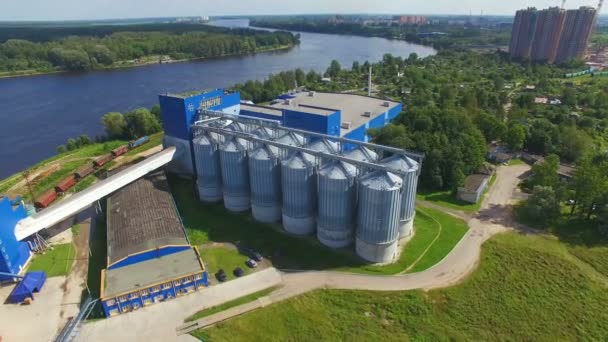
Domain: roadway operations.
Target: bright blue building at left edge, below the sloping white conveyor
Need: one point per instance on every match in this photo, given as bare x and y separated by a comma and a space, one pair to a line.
14, 255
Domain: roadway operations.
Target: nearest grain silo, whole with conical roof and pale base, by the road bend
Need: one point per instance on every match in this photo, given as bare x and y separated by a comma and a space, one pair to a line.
379, 201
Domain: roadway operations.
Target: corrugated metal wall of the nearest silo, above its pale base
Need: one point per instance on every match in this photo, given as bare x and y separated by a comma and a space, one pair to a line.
378, 213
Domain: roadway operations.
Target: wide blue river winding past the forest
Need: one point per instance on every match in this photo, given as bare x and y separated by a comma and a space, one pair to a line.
39, 113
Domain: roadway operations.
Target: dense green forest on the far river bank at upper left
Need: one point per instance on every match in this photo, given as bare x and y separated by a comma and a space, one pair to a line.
89, 48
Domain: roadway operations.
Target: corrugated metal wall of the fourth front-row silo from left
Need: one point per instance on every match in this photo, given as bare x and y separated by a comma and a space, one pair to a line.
299, 189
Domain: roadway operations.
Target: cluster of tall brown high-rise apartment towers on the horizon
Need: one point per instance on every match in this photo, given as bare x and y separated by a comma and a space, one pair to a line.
553, 34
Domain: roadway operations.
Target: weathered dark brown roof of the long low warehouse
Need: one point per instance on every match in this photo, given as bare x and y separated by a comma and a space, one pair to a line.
142, 216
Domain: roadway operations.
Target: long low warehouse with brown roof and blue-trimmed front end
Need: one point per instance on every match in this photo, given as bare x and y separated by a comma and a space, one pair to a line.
150, 259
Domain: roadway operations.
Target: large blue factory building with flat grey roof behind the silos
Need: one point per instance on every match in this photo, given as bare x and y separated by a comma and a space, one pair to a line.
343, 115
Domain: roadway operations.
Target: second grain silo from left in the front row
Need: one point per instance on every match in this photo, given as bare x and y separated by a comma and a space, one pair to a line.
235, 174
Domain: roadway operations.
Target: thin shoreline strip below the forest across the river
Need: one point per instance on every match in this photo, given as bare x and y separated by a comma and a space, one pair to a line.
152, 60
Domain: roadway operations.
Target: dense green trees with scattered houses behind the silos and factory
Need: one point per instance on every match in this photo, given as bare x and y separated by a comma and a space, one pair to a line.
457, 102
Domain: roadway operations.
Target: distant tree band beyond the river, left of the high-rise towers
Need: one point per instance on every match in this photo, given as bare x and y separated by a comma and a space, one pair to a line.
455, 35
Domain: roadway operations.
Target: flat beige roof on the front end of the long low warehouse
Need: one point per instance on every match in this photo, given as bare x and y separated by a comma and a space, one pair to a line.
144, 274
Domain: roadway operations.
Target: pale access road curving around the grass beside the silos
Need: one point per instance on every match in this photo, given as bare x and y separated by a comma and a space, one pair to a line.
495, 216
